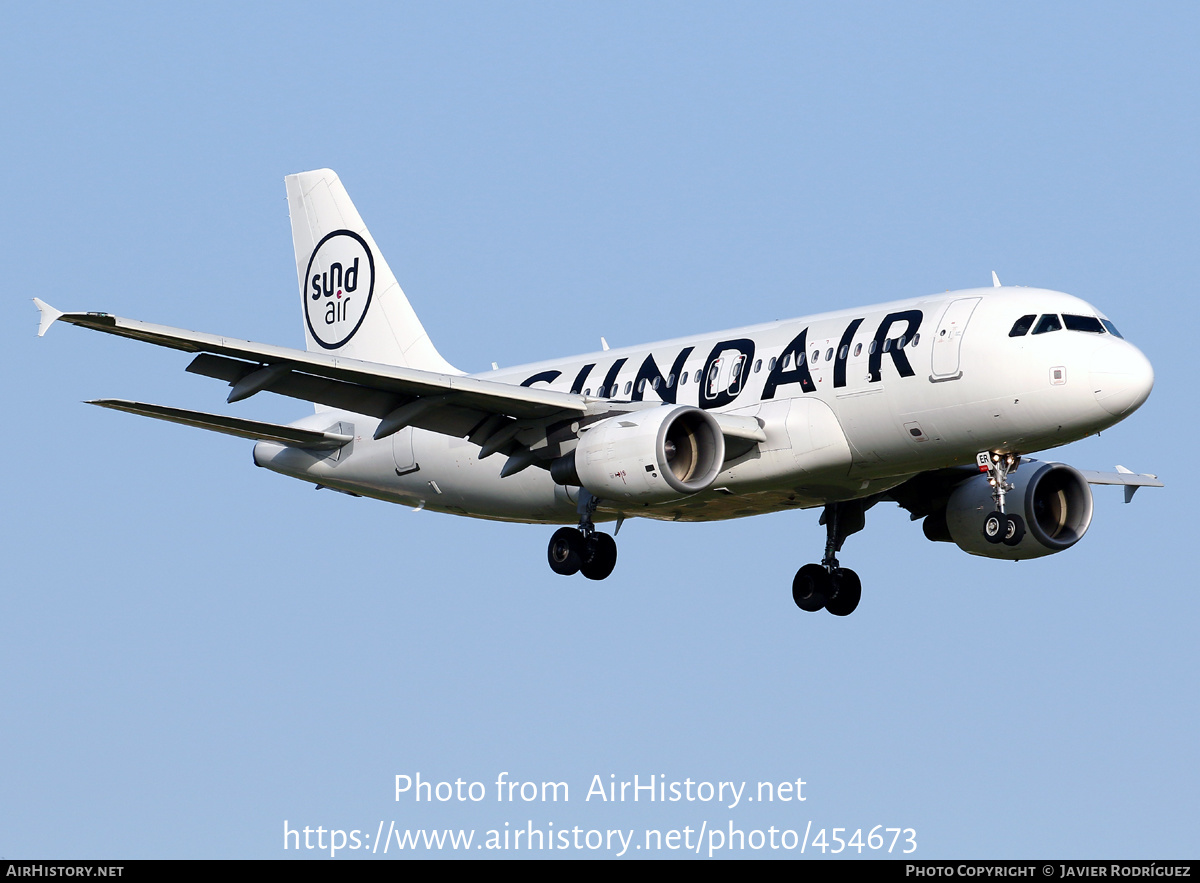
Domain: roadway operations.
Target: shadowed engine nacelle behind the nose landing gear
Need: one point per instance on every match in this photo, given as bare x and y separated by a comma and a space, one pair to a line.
1053, 498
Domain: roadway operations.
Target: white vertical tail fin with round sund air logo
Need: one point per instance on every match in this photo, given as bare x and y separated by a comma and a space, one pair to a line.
352, 303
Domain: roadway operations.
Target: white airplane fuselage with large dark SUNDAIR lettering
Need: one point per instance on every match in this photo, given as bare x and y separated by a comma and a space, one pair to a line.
883, 393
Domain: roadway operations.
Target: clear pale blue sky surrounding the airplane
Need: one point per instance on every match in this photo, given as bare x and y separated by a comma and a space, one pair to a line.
196, 651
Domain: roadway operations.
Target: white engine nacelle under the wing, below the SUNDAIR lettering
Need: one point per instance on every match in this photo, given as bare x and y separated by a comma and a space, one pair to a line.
656, 455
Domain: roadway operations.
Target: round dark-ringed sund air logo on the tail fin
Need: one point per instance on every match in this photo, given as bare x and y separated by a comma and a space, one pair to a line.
339, 285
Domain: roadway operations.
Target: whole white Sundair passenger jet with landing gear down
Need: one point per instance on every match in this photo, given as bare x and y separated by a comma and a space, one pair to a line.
931, 403
